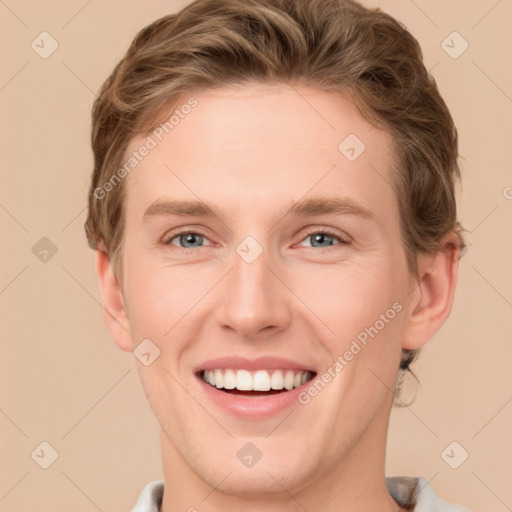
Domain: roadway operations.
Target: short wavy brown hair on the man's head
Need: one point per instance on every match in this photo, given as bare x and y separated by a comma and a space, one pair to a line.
332, 45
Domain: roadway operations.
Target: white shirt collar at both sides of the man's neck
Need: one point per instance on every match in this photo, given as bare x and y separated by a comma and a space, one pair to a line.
404, 490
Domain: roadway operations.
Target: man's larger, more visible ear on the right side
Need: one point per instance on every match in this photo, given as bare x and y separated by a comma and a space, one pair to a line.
432, 296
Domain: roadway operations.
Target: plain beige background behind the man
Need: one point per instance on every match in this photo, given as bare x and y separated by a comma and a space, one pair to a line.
63, 381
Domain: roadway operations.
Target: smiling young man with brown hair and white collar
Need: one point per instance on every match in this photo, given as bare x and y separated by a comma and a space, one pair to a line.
273, 211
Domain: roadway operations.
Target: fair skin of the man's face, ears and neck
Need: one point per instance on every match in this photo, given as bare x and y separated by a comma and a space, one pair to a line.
250, 152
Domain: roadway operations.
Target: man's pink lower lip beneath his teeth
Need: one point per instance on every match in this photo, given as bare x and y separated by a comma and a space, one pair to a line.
253, 407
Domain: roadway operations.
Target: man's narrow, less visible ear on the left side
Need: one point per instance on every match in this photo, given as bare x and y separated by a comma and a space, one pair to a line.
114, 307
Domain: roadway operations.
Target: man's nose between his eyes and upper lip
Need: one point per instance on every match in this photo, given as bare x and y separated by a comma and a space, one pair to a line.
255, 302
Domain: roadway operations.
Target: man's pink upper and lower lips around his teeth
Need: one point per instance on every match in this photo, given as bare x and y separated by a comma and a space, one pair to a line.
256, 407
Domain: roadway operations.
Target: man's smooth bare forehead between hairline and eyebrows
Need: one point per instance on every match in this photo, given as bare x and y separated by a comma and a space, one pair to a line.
259, 146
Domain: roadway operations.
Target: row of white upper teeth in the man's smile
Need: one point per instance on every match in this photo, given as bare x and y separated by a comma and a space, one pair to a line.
261, 380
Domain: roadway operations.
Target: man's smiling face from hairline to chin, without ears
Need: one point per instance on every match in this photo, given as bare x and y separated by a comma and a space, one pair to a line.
267, 288
